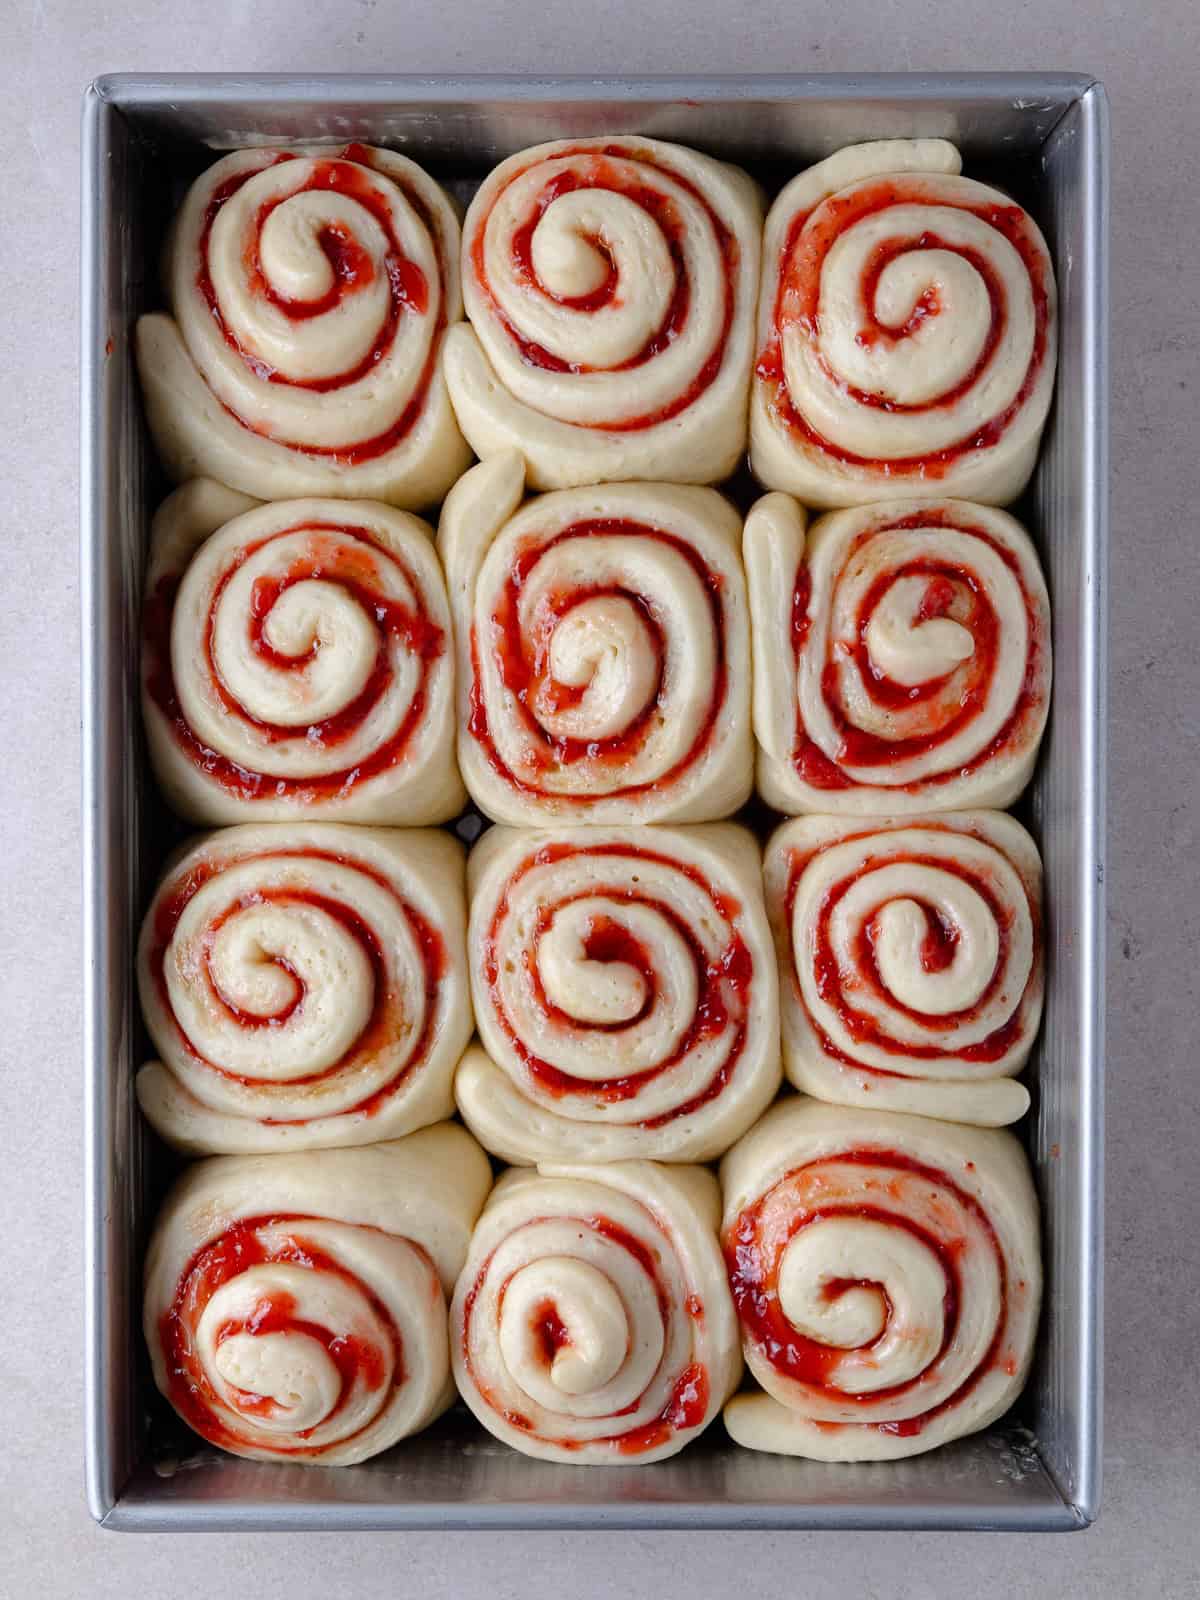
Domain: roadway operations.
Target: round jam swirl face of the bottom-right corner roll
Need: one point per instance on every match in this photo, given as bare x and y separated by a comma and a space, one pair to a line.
873, 1290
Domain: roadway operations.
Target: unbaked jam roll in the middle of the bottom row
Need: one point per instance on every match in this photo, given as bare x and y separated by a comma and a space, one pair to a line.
593, 1322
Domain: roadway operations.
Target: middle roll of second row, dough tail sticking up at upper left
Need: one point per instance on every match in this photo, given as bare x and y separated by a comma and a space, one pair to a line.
602, 650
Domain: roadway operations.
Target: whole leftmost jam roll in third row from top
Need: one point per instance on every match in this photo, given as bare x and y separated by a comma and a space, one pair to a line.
305, 986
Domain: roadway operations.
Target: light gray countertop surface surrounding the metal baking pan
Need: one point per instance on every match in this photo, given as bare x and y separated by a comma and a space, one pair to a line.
1148, 1537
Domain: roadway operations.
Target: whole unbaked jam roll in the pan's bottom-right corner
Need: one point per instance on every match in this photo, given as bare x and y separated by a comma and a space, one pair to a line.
887, 1276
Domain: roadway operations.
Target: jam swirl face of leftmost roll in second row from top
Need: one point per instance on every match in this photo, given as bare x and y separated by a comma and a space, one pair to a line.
270, 630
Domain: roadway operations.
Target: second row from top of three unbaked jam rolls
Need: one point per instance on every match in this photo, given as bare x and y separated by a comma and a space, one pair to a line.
594, 655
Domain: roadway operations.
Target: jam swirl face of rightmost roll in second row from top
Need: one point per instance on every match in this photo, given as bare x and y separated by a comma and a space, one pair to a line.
974, 702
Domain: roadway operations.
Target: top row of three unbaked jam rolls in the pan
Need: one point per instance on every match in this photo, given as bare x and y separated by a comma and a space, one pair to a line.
887, 330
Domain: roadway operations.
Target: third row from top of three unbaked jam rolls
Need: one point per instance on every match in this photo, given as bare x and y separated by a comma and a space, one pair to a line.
318, 985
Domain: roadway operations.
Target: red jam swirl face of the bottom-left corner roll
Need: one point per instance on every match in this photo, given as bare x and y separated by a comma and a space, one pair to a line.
233, 1298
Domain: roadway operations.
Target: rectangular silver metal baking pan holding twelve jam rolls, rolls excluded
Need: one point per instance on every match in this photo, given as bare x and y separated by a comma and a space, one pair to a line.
1042, 135
